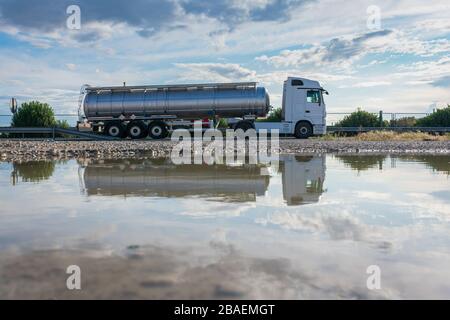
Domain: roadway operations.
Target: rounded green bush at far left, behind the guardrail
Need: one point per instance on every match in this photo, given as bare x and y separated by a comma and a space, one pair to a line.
34, 114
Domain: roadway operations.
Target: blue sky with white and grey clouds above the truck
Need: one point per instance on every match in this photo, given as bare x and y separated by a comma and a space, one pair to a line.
378, 55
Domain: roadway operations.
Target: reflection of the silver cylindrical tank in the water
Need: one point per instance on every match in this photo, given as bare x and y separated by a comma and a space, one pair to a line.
160, 178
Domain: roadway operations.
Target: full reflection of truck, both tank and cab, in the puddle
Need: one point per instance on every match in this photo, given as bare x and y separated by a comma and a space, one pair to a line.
302, 179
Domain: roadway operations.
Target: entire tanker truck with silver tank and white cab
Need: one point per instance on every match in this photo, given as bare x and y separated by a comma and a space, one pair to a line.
156, 110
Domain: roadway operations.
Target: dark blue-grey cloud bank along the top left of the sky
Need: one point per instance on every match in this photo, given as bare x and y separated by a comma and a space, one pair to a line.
146, 17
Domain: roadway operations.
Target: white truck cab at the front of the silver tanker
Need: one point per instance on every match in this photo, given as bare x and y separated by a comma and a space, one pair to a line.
303, 109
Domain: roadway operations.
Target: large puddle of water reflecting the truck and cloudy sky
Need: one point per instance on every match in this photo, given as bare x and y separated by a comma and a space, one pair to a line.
149, 229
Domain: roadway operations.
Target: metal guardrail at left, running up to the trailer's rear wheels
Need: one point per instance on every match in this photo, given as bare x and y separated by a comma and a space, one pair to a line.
54, 132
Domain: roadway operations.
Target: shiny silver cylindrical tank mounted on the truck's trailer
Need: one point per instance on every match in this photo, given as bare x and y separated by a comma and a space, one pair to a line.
185, 104
